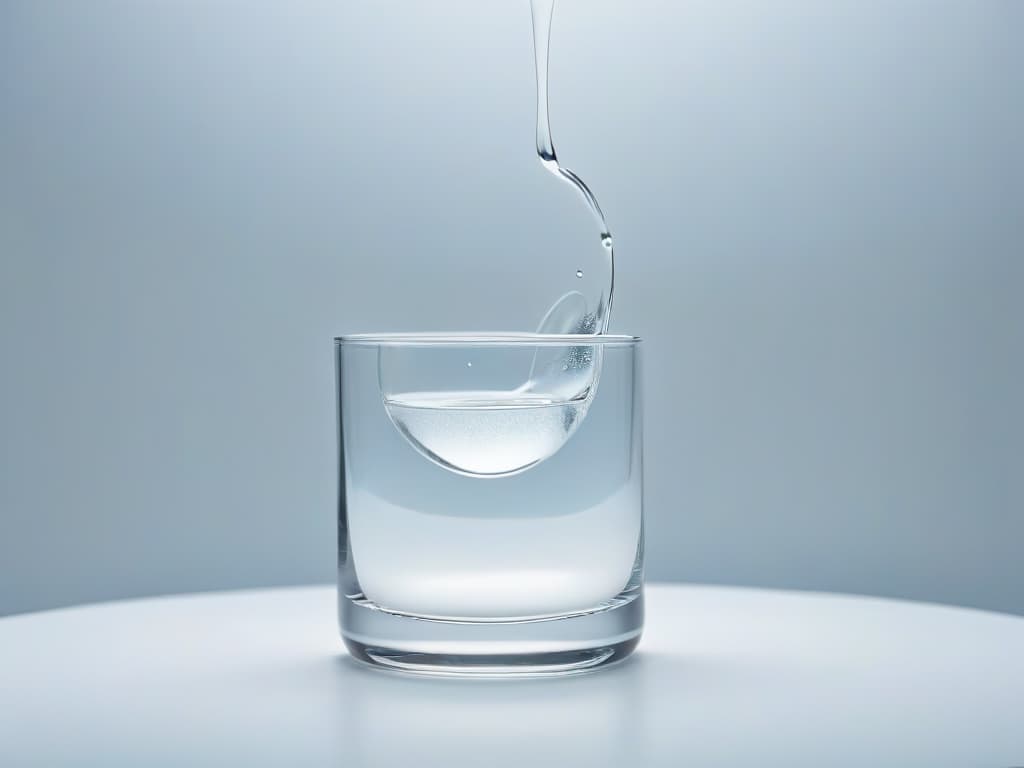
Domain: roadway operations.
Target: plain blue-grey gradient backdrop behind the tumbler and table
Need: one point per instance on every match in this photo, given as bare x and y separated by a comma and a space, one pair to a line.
819, 216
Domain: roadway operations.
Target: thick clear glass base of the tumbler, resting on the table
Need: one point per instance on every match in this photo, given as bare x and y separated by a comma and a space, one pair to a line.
559, 646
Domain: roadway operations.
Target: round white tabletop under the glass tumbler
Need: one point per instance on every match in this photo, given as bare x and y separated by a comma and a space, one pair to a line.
723, 677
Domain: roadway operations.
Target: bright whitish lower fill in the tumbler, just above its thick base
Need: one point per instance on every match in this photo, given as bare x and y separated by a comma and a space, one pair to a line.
486, 568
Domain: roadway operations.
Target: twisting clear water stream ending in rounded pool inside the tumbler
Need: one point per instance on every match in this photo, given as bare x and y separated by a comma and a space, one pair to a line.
501, 433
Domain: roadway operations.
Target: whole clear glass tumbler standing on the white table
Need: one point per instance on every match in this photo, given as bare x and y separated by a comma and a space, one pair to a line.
490, 517
